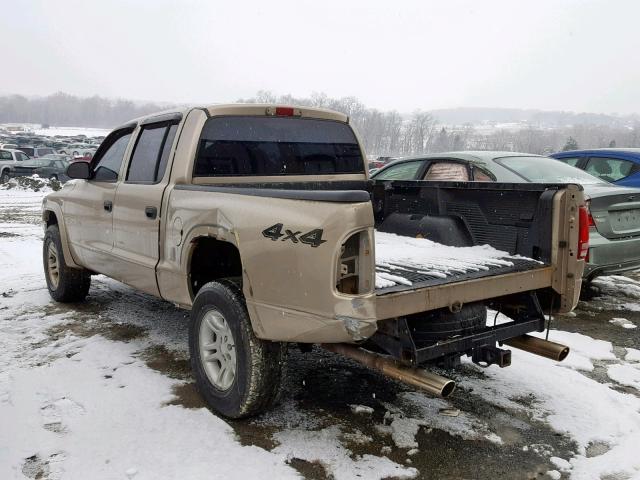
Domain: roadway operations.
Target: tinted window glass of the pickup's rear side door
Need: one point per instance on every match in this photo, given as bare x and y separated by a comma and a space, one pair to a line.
150, 155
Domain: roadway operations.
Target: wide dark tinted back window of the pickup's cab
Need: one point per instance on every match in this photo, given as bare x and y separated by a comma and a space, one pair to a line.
269, 146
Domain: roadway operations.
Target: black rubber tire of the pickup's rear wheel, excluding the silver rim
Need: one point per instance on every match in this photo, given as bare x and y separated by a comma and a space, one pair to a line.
259, 363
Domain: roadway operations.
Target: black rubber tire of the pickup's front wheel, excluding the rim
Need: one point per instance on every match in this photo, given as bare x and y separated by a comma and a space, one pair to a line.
72, 284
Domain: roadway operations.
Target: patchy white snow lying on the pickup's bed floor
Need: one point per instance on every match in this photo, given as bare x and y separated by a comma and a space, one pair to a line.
406, 261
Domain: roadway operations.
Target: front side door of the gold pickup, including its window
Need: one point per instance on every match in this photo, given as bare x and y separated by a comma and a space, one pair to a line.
88, 209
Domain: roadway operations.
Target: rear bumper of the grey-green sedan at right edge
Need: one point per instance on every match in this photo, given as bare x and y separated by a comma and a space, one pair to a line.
608, 257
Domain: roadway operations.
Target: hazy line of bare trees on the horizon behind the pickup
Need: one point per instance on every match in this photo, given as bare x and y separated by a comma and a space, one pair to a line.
384, 133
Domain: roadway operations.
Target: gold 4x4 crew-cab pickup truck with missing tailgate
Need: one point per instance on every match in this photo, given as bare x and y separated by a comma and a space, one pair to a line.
261, 220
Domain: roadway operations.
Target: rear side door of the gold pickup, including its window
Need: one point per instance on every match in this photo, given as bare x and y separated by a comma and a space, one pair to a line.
137, 208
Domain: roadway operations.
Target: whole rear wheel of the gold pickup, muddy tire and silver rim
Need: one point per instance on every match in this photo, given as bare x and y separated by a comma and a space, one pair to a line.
237, 374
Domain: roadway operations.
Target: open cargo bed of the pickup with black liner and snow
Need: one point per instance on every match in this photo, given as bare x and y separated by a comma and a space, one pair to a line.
442, 244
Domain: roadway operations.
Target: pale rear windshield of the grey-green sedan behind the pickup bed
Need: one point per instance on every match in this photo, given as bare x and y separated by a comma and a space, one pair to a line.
547, 170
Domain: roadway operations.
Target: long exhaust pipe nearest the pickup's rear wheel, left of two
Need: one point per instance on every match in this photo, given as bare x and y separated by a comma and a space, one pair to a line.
432, 383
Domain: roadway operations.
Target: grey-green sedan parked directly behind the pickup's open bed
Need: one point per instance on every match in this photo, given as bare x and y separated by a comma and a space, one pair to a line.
614, 218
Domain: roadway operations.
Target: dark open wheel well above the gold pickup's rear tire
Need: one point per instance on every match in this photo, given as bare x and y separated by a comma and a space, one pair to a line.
211, 260
